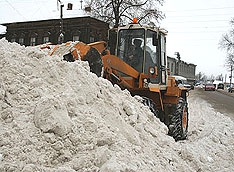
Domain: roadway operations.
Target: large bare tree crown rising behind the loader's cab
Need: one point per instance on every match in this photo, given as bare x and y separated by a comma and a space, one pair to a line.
119, 12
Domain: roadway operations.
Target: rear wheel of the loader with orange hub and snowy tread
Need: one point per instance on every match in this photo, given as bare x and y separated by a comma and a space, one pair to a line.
178, 126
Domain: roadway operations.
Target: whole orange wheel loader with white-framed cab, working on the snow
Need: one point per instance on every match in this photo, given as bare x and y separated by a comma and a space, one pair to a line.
135, 59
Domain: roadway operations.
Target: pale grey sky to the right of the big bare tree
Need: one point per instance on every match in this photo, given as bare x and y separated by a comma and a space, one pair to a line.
195, 28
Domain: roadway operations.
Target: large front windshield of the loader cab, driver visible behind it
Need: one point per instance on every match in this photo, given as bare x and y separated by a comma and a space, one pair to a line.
130, 47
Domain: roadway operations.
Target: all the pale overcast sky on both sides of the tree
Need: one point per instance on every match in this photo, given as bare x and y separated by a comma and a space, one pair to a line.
195, 27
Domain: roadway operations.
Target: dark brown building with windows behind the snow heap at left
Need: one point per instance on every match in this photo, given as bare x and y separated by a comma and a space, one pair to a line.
30, 33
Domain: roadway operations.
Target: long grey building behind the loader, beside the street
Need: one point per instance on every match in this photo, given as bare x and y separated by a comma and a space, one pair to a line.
181, 68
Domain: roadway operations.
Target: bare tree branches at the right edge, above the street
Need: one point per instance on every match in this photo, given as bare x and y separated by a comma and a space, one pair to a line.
227, 43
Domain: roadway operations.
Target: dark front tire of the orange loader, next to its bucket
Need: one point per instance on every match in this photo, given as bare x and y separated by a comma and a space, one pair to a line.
95, 61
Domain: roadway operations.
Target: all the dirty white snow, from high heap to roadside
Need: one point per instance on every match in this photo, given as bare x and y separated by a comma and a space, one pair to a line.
58, 117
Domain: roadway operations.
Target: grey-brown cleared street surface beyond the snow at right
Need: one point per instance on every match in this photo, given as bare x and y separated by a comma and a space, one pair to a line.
220, 100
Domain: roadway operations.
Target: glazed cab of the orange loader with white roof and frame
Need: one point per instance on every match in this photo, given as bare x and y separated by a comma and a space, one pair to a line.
144, 49
